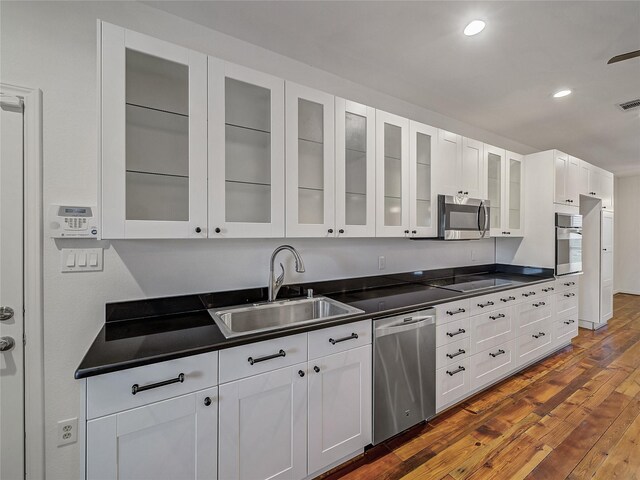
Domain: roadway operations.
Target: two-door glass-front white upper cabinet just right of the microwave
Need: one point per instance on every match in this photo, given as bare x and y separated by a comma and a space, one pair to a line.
504, 191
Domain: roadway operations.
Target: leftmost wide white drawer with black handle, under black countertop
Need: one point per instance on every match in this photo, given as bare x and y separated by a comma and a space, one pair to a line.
113, 392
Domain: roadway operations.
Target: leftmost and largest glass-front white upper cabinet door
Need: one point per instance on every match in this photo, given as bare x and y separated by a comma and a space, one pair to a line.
153, 137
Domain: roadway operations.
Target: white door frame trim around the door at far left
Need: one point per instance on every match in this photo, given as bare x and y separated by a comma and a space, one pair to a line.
33, 292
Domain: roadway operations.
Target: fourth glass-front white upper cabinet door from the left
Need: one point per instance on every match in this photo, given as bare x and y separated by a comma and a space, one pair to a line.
355, 165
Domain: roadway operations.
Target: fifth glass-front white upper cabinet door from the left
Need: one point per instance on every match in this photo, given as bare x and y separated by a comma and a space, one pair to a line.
392, 175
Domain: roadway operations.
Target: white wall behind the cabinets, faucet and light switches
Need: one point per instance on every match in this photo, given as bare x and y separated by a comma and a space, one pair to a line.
52, 46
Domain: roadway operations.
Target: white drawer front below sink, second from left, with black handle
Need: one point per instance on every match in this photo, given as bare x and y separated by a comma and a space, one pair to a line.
261, 357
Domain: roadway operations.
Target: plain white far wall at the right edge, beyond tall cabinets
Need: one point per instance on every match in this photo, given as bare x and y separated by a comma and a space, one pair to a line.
626, 275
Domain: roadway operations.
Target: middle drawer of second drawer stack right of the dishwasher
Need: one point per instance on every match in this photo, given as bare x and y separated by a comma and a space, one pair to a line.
492, 329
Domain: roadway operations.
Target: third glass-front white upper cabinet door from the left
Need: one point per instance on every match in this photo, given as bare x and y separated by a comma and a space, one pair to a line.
310, 162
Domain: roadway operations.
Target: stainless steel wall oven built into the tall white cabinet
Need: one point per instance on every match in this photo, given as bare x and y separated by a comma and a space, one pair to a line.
568, 244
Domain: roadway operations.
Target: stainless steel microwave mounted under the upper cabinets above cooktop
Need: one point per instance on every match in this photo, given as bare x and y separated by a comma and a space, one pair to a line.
462, 218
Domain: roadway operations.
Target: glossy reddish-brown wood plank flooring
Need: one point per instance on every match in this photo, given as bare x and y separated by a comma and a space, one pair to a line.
575, 415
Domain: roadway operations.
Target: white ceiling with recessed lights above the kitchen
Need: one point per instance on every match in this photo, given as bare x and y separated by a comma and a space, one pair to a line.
500, 80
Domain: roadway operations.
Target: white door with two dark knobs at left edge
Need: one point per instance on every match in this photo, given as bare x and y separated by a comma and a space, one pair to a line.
11, 291
